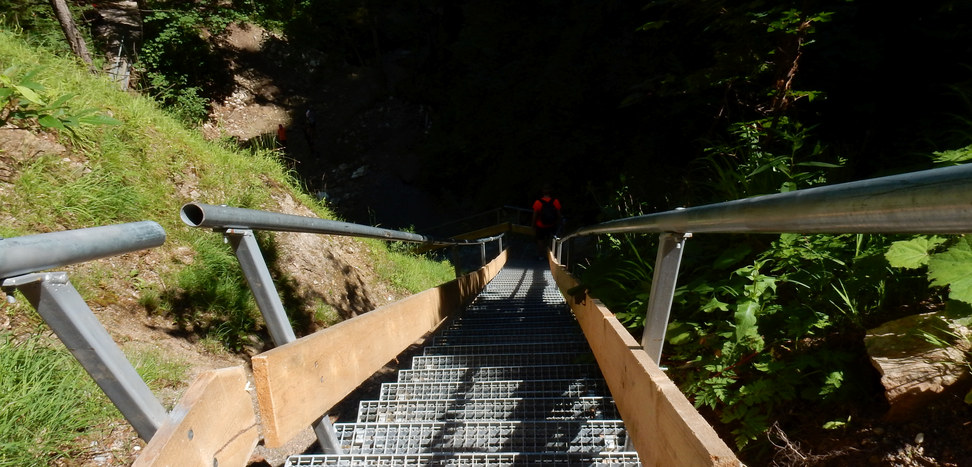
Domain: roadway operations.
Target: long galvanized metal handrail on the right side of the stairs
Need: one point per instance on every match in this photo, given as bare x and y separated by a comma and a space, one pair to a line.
931, 201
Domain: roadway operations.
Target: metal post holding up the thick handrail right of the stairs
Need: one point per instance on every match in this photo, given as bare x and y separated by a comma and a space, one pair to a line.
670, 248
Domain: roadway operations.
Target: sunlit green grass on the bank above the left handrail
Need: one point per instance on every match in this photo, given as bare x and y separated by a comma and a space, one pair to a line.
145, 168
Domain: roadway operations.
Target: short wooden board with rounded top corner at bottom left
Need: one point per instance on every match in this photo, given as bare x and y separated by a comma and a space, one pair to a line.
213, 424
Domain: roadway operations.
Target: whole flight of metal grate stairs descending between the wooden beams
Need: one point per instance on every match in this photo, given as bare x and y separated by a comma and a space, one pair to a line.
510, 382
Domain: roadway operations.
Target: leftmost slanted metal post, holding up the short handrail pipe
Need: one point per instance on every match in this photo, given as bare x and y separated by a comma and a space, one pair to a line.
62, 307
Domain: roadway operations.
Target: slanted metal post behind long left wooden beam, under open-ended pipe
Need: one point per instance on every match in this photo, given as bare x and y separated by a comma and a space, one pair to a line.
268, 300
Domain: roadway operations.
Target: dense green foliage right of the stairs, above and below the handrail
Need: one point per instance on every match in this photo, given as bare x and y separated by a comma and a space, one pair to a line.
764, 327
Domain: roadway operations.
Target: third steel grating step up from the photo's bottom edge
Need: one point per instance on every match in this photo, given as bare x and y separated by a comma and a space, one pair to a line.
548, 408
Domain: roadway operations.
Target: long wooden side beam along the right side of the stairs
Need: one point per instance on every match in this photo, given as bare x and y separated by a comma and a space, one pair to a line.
664, 426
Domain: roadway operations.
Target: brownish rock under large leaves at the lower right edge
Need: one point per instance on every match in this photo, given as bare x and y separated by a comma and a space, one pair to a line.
914, 370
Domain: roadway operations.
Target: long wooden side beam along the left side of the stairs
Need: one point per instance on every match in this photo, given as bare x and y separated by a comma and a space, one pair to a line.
299, 381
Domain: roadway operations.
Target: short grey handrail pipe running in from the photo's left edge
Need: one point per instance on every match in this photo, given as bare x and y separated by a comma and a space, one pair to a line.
33, 253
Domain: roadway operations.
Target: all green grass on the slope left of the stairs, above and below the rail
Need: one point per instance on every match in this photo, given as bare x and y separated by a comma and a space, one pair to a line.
145, 168
